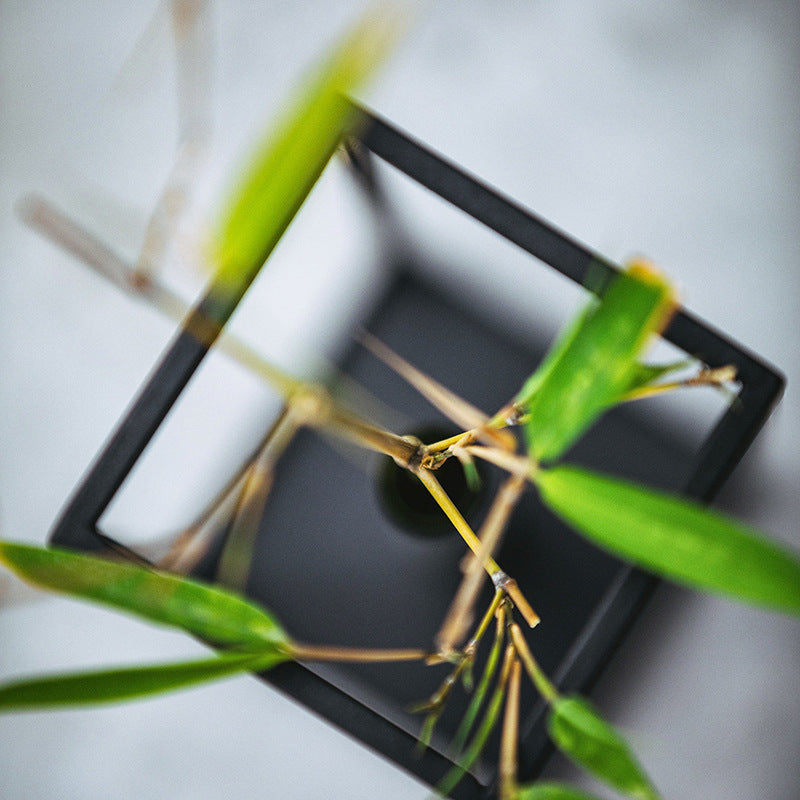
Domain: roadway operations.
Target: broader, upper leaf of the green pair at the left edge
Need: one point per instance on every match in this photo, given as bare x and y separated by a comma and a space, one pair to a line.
215, 615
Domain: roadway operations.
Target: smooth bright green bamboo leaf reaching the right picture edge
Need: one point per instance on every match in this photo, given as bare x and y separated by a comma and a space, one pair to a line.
674, 537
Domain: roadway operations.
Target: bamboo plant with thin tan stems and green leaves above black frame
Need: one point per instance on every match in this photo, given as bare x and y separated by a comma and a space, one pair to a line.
595, 364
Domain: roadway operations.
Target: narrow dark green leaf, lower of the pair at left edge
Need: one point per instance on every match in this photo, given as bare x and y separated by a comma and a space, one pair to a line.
113, 685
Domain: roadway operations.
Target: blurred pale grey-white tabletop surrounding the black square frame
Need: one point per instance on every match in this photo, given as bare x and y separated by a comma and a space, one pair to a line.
664, 129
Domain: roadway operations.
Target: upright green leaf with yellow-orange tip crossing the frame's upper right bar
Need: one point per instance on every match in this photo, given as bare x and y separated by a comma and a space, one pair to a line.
593, 364
